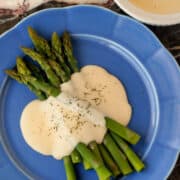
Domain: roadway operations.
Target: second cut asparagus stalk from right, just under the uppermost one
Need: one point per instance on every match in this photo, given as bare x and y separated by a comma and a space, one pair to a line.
131, 155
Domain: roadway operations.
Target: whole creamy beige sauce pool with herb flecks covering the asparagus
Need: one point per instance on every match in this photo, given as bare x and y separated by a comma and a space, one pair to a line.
55, 126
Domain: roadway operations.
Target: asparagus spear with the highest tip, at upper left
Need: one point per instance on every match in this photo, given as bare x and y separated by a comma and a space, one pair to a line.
40, 43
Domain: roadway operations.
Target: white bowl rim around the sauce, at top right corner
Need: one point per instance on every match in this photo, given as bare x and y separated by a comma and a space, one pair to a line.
147, 17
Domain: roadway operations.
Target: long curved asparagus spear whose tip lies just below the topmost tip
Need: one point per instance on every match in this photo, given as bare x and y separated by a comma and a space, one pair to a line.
44, 65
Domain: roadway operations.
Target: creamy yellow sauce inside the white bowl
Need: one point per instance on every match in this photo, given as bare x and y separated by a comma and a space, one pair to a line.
158, 6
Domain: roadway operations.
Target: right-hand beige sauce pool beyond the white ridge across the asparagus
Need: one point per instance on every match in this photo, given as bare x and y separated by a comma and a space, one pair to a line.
102, 90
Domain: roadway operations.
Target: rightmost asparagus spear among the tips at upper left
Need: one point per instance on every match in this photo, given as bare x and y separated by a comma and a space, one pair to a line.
69, 51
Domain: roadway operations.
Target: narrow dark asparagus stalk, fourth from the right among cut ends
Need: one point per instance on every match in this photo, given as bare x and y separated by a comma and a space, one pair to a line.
109, 161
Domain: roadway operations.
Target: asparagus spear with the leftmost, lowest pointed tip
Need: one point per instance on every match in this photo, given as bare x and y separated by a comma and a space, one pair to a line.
14, 74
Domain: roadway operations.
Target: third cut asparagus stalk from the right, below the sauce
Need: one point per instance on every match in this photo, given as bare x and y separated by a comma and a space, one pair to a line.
117, 155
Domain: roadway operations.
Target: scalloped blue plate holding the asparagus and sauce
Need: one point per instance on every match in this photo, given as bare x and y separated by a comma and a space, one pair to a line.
126, 49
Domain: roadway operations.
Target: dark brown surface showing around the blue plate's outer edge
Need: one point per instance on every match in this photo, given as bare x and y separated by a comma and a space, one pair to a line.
169, 36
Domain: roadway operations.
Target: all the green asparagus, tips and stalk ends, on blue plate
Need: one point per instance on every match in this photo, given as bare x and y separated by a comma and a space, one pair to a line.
56, 64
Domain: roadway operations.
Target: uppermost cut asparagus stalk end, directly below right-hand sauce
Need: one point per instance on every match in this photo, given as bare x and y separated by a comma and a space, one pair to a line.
124, 132
